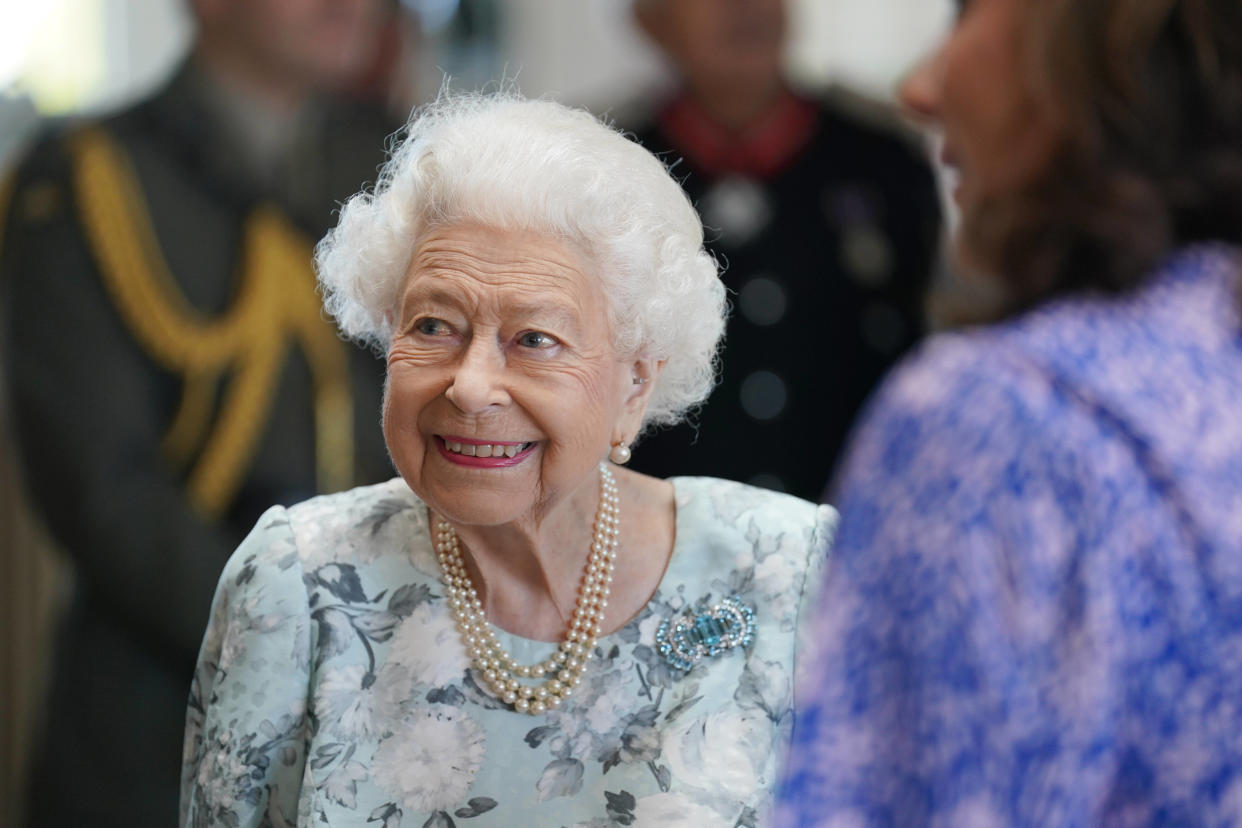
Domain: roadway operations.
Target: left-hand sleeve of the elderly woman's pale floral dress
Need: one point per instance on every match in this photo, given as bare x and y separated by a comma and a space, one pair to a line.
247, 726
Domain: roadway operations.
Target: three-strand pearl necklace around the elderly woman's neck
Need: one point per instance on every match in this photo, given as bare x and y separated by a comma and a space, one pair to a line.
563, 671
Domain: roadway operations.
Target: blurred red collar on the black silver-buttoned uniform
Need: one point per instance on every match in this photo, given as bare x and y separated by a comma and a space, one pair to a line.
763, 151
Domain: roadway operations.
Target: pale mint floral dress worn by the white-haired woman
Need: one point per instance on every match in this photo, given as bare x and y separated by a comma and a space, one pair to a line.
333, 687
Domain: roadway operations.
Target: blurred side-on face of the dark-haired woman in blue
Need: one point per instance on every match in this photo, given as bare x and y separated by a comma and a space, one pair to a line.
999, 136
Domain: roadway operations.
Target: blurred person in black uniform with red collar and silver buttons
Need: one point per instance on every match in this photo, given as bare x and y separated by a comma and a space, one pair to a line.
827, 224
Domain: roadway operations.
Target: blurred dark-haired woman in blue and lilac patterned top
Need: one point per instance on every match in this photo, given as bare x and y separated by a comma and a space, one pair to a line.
1034, 610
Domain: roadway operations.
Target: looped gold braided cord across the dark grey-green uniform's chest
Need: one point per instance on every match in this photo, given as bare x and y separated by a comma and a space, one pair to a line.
248, 344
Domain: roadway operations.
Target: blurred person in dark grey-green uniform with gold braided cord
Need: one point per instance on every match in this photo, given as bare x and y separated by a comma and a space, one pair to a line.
170, 369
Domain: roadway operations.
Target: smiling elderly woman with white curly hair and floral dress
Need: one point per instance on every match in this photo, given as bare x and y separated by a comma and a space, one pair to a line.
516, 631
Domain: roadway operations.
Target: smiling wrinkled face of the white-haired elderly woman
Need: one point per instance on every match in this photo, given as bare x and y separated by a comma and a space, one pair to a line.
505, 392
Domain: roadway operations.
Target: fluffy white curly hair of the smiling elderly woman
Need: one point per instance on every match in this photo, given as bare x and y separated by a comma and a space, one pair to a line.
514, 164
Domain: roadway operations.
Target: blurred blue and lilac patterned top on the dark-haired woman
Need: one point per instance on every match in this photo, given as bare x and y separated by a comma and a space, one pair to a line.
1034, 610
